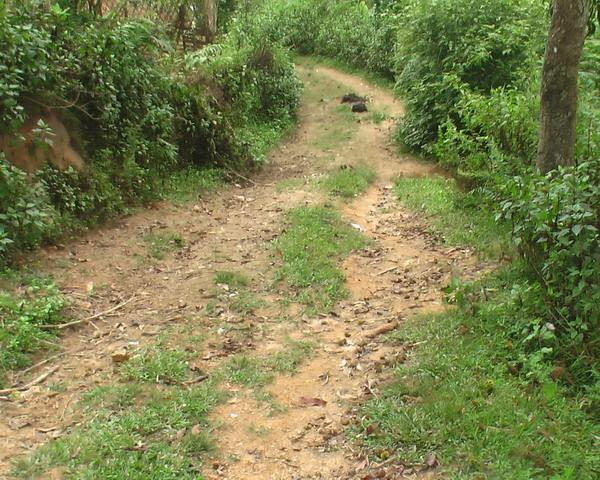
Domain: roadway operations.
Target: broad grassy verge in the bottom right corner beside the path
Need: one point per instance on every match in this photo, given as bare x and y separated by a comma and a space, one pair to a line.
481, 401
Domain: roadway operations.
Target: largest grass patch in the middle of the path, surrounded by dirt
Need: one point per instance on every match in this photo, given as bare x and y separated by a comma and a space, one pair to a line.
315, 239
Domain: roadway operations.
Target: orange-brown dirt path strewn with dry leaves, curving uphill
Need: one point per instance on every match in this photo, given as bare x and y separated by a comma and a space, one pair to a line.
231, 230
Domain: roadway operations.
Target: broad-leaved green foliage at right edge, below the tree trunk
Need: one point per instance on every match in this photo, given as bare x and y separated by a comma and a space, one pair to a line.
556, 221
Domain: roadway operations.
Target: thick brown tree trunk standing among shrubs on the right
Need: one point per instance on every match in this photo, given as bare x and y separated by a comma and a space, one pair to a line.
558, 130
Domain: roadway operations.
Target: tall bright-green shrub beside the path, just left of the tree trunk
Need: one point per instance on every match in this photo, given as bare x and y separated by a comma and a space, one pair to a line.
447, 46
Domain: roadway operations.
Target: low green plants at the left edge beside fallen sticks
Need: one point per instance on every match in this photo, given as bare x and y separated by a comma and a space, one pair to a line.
27, 302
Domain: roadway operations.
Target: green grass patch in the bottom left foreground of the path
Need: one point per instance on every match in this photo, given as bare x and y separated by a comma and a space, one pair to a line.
157, 435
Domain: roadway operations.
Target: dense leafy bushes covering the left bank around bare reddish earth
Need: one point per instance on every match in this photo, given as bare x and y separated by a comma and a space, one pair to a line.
134, 117
